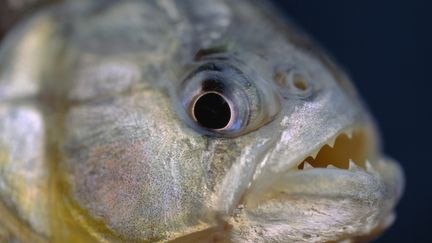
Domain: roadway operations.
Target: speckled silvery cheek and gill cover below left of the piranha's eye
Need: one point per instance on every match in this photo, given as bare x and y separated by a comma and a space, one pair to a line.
134, 167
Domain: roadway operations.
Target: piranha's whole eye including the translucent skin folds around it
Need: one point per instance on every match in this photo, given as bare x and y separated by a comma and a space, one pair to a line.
222, 98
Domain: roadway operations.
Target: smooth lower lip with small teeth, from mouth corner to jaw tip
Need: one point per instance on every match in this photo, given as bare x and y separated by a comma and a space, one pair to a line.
379, 181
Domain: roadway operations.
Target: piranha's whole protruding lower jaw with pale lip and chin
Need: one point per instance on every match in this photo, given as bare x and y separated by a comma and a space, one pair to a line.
353, 204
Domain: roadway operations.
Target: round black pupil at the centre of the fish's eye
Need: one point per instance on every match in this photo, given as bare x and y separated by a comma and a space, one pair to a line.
212, 111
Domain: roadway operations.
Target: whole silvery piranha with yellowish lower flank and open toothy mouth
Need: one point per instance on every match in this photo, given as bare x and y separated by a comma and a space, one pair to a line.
183, 121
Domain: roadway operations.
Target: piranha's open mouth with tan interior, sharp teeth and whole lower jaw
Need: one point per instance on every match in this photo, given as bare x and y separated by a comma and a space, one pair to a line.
343, 183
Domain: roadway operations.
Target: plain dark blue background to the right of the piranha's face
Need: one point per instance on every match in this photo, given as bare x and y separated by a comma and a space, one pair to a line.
386, 47
